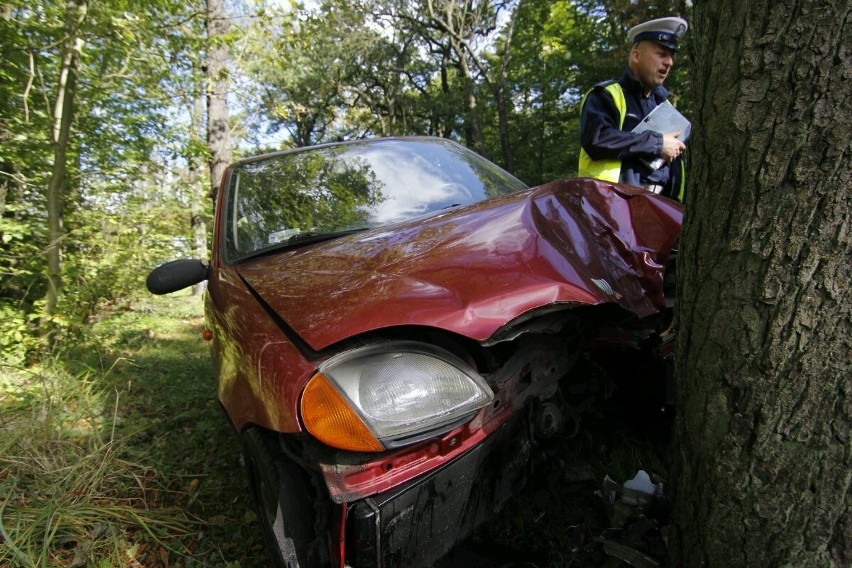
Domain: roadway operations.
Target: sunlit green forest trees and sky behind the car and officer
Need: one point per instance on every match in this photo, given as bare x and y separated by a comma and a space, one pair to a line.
107, 107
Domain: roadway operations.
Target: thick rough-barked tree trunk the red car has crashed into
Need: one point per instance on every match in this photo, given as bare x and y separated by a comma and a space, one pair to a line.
762, 442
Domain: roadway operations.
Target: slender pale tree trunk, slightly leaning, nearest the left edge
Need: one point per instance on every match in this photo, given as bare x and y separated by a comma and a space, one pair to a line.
63, 117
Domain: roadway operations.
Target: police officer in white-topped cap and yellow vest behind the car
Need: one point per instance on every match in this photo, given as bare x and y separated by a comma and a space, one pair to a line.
610, 151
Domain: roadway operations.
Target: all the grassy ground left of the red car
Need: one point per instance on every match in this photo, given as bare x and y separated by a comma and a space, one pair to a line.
117, 454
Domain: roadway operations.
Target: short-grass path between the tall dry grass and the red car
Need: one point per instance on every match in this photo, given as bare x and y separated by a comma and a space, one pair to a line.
158, 368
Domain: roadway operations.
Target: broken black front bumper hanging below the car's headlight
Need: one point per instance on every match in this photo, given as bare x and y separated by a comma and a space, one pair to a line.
417, 523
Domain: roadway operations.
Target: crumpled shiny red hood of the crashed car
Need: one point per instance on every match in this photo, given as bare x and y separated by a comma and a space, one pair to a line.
472, 270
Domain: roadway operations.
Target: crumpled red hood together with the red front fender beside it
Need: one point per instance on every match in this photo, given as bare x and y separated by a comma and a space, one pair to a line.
469, 271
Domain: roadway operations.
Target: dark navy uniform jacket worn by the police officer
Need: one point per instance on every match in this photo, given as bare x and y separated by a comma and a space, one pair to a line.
601, 137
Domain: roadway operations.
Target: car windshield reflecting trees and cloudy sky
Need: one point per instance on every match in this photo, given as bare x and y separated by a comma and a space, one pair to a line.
325, 191
